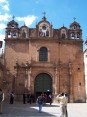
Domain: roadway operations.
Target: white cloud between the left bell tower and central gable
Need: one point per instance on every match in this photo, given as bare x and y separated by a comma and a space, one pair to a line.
28, 20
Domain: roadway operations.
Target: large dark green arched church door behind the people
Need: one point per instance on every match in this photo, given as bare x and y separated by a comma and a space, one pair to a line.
43, 84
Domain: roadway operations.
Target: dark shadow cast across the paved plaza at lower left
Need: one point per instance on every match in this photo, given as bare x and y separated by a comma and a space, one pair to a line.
18, 109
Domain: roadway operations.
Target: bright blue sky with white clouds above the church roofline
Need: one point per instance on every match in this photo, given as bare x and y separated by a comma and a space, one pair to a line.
58, 12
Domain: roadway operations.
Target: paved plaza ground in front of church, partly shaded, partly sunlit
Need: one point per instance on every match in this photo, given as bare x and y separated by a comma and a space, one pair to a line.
18, 109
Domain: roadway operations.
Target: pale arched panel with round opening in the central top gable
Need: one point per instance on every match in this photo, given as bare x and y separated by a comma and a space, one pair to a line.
44, 30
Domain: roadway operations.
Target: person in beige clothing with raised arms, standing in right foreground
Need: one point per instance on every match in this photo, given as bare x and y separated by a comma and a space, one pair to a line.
61, 98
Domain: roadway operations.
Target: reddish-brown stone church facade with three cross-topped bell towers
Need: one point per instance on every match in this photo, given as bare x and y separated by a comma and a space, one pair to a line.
44, 60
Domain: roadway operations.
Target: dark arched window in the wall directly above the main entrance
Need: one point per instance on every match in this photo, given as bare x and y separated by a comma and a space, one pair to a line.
43, 54
